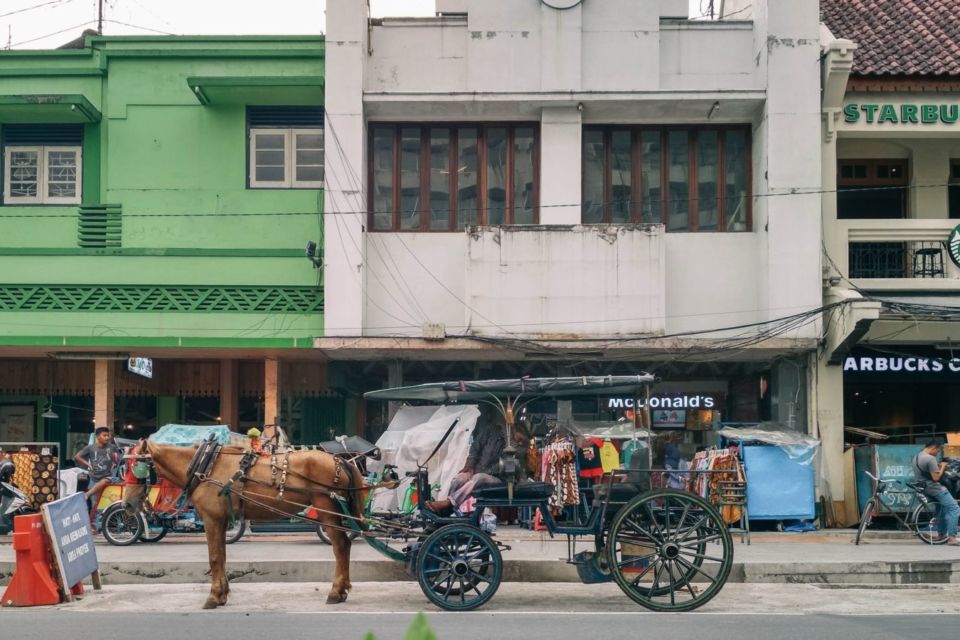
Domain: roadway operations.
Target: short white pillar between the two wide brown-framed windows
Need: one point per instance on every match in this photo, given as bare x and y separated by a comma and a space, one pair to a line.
560, 159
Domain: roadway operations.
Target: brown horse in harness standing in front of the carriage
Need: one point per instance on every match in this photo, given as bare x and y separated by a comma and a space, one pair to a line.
310, 477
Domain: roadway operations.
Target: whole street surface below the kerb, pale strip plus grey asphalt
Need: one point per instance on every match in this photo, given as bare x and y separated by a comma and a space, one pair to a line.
267, 610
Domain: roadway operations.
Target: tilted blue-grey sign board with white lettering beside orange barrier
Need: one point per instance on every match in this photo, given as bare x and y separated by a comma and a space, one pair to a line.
68, 525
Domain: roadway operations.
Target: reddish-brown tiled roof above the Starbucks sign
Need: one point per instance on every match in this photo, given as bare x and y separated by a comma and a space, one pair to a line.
898, 37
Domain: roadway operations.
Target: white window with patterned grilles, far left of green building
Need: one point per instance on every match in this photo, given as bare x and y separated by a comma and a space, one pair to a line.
42, 164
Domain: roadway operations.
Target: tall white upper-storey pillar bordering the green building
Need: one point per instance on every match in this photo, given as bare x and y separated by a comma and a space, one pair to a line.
343, 237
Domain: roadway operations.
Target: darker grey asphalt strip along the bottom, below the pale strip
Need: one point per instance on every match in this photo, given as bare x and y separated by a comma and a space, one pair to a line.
236, 625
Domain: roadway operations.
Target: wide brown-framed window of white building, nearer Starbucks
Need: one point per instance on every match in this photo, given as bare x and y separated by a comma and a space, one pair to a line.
689, 179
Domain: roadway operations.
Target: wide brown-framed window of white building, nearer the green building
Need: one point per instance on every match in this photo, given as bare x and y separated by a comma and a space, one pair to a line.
413, 187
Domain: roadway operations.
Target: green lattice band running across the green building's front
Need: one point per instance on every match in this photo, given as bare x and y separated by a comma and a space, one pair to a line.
132, 298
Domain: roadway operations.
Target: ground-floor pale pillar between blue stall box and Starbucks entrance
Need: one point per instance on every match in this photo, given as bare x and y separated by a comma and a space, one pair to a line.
829, 408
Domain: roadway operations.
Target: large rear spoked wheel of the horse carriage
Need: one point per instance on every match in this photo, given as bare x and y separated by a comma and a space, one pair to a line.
669, 550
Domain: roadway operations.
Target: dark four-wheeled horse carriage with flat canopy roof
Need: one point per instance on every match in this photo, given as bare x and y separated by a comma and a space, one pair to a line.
667, 550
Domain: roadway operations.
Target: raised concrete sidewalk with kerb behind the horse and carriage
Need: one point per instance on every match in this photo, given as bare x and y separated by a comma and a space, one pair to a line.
821, 557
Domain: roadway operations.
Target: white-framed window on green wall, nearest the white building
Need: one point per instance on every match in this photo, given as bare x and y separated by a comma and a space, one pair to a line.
286, 147
